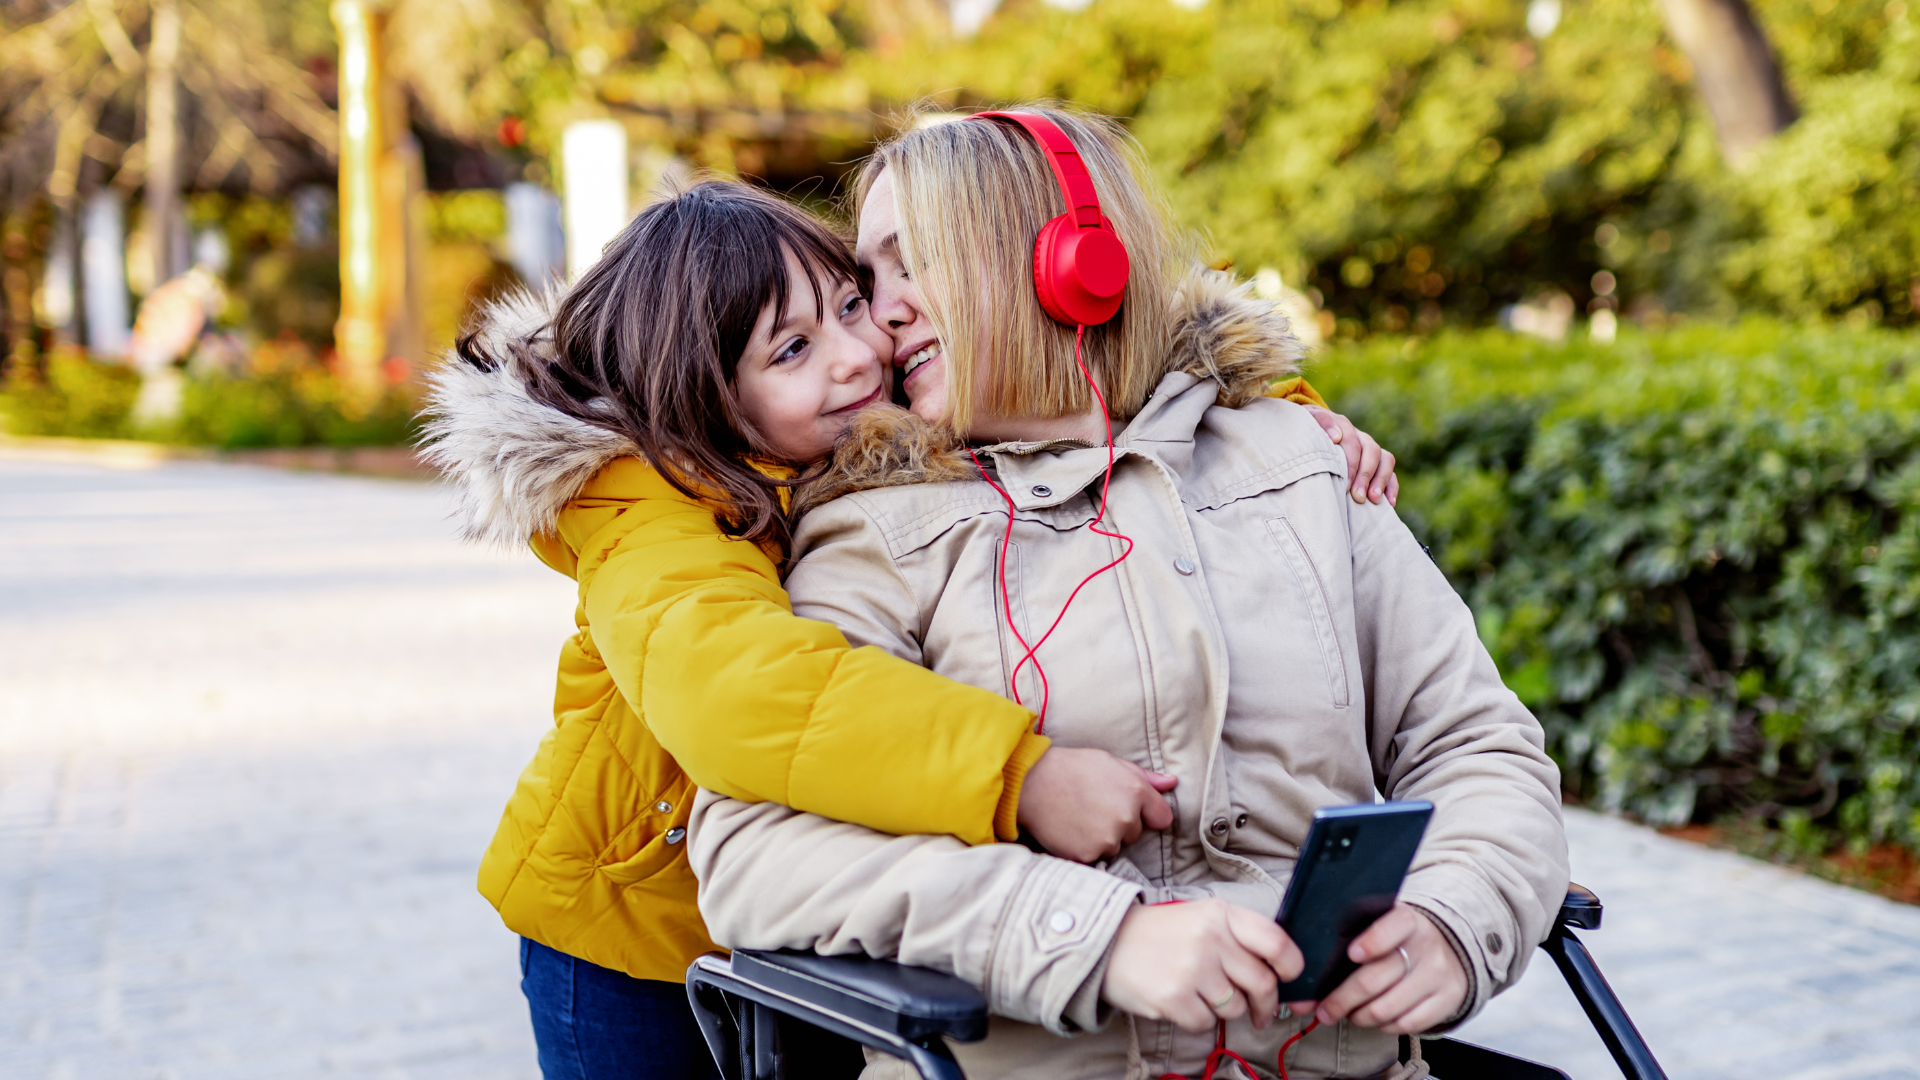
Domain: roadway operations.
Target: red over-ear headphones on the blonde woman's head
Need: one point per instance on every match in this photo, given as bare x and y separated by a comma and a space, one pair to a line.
1080, 266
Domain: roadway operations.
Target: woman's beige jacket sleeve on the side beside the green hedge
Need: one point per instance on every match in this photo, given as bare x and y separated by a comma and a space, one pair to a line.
1443, 727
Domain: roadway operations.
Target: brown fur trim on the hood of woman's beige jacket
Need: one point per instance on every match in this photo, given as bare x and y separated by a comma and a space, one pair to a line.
1222, 333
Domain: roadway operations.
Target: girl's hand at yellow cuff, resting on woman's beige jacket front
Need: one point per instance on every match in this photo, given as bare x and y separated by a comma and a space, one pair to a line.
1088, 804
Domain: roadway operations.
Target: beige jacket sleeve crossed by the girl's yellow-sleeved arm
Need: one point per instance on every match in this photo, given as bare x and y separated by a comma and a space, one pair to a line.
1030, 931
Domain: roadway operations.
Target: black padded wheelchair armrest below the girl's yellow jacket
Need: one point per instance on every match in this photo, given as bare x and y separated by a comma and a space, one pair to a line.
909, 1002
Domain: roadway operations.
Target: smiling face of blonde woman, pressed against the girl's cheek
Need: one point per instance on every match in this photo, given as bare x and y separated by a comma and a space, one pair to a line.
898, 312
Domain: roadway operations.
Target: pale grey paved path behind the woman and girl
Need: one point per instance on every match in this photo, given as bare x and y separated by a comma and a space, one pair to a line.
256, 727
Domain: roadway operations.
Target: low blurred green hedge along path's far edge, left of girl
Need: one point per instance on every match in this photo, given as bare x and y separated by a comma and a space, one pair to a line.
285, 406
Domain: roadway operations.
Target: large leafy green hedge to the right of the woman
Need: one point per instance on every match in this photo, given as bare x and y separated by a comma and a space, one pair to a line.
1696, 556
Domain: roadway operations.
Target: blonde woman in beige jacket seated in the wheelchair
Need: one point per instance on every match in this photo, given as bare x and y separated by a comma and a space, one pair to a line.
1285, 649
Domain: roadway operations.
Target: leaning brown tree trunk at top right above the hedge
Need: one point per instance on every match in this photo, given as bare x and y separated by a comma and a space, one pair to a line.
1735, 70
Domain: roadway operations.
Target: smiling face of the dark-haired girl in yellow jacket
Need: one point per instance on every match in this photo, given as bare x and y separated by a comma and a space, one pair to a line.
809, 370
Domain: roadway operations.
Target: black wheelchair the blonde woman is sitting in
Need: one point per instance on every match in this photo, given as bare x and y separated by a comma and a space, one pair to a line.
756, 1004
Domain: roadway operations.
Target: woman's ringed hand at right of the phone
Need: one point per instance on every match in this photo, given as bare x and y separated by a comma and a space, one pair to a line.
1399, 996
